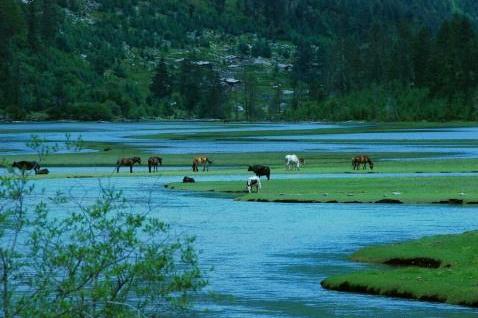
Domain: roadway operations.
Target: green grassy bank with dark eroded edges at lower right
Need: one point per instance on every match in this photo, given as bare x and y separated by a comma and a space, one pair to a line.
451, 275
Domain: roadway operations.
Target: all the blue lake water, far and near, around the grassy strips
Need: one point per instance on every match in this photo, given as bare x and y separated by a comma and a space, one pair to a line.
268, 259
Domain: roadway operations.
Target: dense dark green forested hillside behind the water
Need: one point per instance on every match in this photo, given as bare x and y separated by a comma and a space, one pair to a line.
239, 59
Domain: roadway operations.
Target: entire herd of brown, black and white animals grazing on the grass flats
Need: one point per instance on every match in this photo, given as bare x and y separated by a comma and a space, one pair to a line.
291, 162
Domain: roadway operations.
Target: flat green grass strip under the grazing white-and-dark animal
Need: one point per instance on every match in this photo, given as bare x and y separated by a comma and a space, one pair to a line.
353, 189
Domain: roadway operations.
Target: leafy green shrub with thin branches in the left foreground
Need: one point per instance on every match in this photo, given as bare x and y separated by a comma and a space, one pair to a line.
104, 259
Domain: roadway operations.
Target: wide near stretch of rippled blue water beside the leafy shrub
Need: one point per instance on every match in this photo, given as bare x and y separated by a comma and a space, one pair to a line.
268, 259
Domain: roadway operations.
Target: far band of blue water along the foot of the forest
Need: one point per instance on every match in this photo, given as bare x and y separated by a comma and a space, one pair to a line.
14, 136
